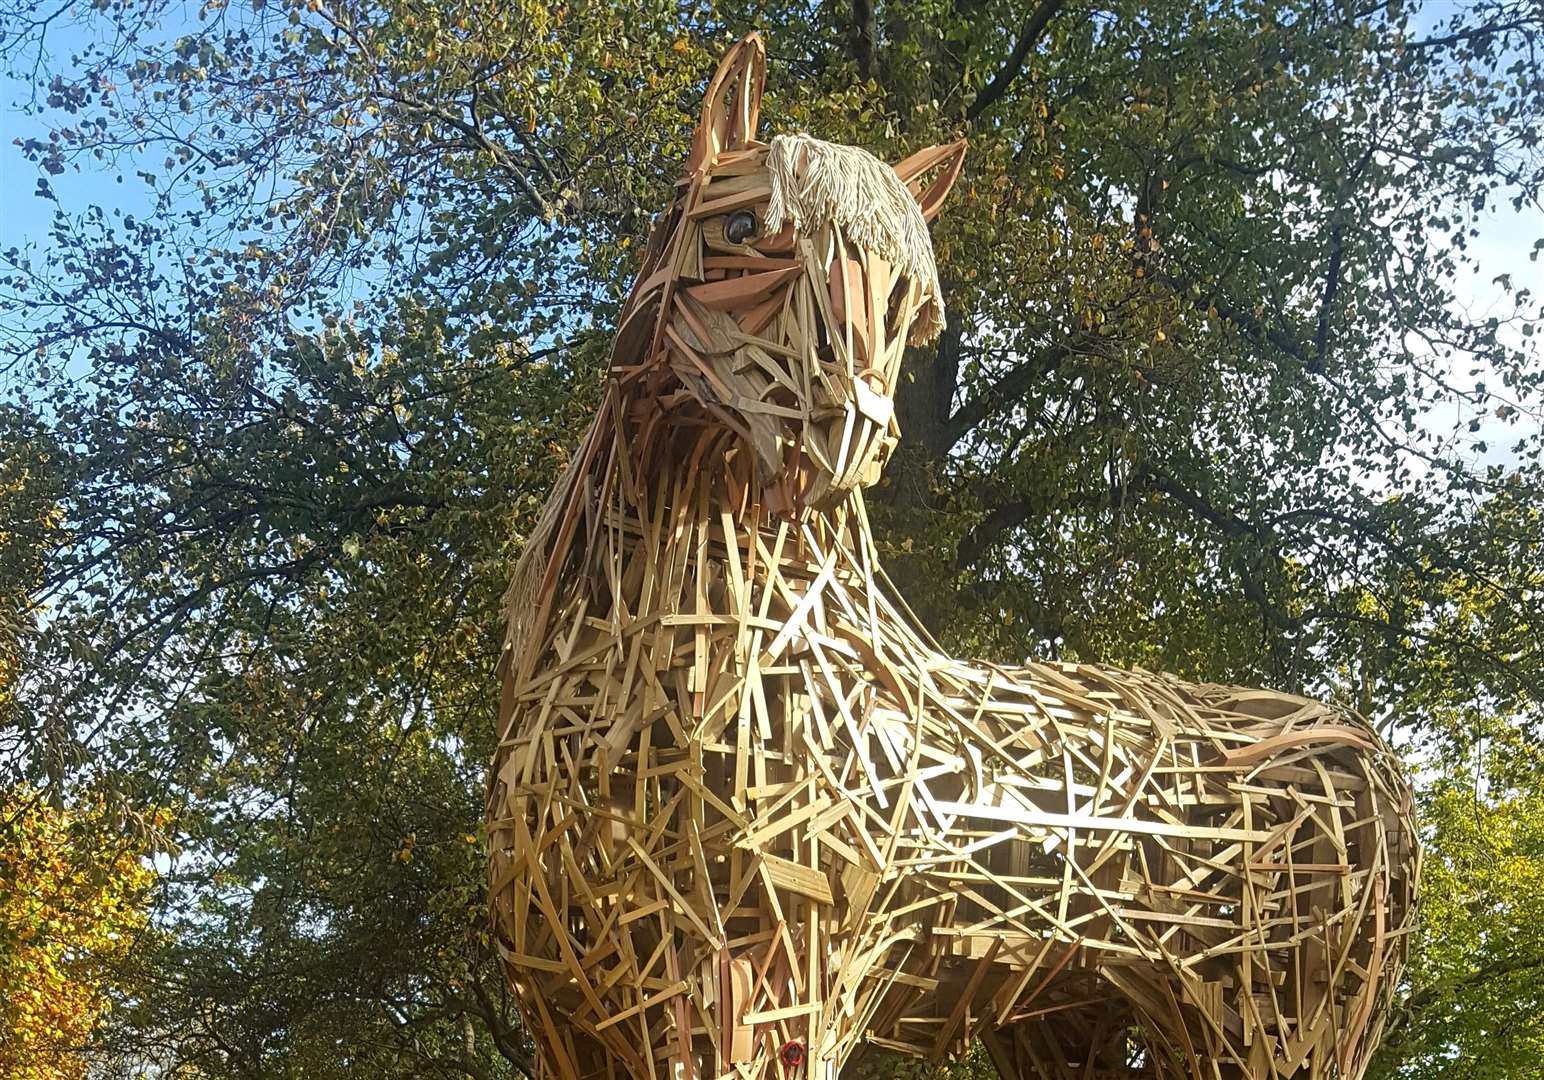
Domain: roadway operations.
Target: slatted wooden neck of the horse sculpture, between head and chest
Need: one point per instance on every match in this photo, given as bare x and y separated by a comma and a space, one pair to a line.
631, 535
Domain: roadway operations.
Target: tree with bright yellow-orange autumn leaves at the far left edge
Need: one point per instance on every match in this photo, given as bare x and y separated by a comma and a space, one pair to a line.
75, 886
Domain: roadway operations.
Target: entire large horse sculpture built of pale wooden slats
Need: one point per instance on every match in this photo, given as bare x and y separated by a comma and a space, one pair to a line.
747, 818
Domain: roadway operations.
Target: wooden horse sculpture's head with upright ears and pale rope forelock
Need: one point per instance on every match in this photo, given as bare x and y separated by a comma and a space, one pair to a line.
777, 296
